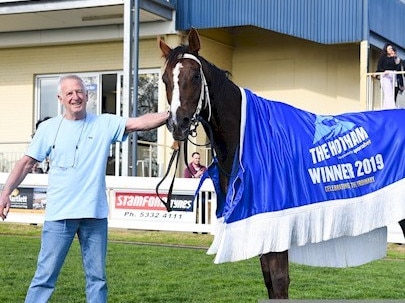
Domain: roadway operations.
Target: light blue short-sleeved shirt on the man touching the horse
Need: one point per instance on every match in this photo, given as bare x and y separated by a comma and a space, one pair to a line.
76, 182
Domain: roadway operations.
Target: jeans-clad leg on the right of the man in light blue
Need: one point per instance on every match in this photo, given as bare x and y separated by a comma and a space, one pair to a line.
93, 243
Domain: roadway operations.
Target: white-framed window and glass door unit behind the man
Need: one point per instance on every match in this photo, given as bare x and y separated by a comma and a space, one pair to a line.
105, 96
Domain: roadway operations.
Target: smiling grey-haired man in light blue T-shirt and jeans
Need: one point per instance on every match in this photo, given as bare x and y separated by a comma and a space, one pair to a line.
77, 145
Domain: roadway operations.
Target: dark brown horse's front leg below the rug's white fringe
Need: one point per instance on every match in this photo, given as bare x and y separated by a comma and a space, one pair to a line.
275, 273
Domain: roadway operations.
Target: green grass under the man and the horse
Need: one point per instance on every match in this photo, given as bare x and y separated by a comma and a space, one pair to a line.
154, 273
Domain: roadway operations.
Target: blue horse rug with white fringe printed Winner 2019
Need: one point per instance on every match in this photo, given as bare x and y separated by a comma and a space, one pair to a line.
322, 187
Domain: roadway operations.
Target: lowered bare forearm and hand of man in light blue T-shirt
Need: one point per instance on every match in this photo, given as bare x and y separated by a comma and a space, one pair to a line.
17, 175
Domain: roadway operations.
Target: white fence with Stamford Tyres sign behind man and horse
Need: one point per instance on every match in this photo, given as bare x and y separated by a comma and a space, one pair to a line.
133, 203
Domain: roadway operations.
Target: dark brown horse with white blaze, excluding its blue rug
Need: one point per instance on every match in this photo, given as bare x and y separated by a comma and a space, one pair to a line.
198, 91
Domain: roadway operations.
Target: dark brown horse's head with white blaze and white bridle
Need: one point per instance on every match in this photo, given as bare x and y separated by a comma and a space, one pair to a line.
185, 85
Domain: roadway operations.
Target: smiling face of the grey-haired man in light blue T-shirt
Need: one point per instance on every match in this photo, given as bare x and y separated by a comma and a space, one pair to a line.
73, 96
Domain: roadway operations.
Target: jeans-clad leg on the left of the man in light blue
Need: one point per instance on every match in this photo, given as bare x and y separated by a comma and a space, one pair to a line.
57, 236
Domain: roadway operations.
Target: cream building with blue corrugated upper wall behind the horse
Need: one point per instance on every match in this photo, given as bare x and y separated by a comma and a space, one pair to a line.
313, 54
